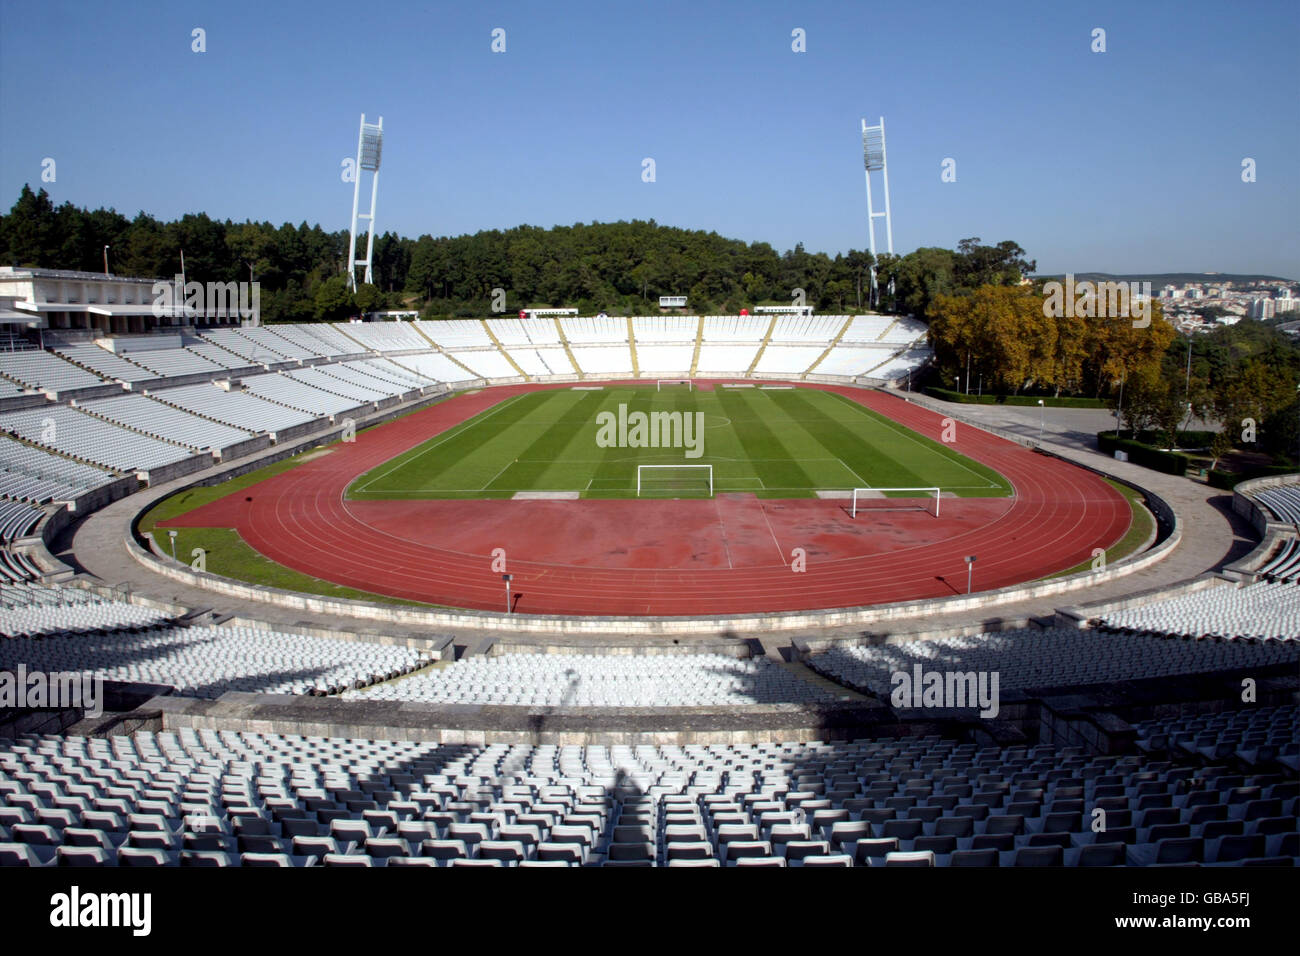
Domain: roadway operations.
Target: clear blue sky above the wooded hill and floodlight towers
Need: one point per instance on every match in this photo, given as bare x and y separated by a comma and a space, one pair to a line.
1119, 162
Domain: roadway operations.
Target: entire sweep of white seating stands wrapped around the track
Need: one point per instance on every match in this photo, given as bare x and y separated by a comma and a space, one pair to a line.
830, 773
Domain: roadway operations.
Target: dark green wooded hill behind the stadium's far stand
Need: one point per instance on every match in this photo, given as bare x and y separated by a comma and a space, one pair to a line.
618, 267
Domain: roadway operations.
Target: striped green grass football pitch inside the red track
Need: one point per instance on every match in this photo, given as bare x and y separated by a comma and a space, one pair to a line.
772, 443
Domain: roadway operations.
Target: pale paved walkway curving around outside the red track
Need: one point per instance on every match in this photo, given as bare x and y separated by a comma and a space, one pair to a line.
1214, 537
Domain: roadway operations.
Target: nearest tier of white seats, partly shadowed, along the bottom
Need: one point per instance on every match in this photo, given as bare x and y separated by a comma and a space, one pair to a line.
868, 803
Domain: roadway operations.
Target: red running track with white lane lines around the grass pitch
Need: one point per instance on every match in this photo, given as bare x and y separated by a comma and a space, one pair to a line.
731, 555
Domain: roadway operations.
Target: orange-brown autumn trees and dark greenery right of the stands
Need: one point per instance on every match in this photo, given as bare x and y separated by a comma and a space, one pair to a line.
1233, 375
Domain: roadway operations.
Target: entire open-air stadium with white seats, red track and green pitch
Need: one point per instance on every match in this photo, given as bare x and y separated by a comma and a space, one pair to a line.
770, 671
